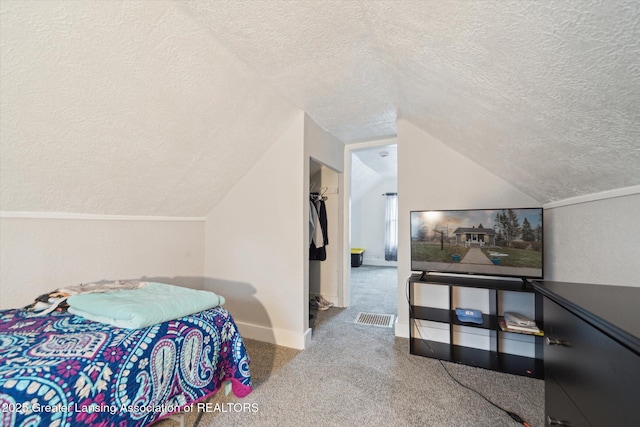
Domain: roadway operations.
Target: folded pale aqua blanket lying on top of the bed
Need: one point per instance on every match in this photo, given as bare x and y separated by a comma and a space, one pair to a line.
142, 307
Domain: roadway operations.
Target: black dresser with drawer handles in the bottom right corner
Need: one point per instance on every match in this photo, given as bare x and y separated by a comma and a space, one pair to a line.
591, 354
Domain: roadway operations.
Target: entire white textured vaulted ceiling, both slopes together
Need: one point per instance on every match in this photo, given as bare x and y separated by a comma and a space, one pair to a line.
159, 107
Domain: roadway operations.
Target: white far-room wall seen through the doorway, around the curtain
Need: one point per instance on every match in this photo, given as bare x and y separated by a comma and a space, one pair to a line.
368, 223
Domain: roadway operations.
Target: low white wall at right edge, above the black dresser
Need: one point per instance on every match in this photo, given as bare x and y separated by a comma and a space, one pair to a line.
594, 239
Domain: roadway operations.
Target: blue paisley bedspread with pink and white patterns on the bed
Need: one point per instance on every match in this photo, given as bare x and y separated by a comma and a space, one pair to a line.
64, 370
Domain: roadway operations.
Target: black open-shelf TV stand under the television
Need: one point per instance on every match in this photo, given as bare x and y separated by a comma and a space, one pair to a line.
495, 357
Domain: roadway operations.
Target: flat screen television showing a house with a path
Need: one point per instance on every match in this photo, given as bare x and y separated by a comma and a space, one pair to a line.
491, 242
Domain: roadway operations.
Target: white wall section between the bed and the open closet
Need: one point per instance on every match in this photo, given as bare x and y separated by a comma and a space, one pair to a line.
254, 254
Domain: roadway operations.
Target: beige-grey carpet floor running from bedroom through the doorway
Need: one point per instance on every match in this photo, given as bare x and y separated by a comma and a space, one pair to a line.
355, 375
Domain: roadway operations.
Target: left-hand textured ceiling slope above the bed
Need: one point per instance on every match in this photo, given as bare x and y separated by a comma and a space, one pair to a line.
125, 107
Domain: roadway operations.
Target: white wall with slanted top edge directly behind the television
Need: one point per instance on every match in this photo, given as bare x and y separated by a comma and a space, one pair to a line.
433, 176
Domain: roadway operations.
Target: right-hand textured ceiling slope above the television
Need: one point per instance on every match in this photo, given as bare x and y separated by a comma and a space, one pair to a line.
545, 94
